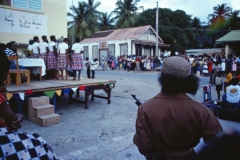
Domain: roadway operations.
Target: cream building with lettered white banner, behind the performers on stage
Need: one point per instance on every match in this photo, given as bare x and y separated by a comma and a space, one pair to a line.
21, 20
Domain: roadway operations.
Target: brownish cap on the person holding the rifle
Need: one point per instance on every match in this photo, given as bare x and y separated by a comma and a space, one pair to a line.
176, 66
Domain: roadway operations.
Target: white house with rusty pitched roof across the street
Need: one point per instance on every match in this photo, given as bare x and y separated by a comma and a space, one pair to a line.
137, 41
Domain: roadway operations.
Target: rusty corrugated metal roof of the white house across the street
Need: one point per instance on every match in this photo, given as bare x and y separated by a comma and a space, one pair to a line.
118, 34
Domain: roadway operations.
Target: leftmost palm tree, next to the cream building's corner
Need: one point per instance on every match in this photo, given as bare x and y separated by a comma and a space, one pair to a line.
84, 19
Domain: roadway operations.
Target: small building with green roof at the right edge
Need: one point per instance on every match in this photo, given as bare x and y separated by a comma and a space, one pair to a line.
232, 43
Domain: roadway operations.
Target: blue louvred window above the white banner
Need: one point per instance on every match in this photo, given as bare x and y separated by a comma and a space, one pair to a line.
28, 4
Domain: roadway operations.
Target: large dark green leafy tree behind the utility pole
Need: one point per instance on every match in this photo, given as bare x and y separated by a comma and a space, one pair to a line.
175, 27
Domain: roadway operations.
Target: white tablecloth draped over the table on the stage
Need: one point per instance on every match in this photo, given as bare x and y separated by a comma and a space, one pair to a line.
34, 63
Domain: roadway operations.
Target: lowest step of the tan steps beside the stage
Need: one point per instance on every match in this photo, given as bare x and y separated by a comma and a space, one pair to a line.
48, 120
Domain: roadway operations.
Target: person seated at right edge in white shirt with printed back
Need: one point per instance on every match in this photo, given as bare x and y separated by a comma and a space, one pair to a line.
232, 96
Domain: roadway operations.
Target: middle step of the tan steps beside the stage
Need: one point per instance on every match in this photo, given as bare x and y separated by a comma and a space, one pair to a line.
44, 110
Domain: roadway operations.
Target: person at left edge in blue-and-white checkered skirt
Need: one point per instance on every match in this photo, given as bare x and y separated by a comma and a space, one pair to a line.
17, 145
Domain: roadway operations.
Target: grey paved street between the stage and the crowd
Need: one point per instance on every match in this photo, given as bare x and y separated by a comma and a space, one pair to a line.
105, 132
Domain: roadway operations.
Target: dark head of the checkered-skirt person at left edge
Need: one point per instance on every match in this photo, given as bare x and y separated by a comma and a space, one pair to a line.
4, 65
